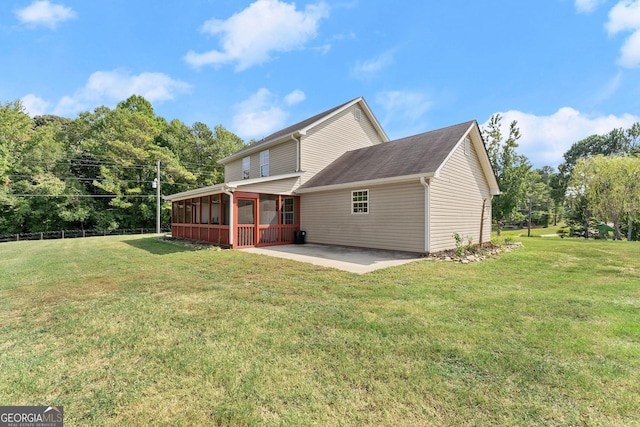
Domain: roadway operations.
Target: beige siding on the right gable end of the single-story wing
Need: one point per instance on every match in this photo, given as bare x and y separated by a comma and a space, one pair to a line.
456, 201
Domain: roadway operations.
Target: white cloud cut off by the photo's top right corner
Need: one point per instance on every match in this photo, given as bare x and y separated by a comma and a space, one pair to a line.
625, 16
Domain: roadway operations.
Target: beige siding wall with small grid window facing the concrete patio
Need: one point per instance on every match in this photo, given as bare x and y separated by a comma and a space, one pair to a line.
395, 220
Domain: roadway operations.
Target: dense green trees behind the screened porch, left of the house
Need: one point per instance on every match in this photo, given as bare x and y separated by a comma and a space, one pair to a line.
97, 171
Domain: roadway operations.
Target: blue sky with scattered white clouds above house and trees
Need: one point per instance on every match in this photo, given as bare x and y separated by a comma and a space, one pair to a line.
564, 69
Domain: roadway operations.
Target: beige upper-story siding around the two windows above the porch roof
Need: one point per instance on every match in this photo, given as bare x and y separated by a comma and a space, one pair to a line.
282, 160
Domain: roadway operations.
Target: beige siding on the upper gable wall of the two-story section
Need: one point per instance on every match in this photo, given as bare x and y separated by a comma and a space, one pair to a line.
334, 137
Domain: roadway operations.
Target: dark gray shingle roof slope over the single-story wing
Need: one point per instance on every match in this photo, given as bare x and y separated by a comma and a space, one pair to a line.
418, 154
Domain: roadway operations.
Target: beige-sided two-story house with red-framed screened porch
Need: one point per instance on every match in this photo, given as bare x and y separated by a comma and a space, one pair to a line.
337, 176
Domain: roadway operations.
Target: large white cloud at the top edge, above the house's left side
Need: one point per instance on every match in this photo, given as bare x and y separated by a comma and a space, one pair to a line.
251, 36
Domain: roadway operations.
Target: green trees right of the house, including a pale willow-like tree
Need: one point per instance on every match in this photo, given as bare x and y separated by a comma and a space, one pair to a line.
598, 182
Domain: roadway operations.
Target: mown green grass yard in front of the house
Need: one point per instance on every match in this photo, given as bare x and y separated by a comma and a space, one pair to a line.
136, 331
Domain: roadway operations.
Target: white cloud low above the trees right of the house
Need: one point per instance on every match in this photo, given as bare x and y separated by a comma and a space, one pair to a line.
546, 138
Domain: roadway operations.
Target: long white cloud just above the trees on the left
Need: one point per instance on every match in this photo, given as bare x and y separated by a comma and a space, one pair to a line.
114, 86
